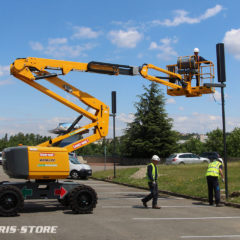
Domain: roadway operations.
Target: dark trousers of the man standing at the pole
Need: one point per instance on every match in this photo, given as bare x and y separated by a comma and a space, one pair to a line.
213, 185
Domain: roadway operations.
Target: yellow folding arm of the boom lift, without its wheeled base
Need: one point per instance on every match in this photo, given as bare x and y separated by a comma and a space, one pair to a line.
31, 70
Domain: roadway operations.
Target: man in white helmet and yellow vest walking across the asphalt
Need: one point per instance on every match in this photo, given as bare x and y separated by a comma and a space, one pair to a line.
152, 175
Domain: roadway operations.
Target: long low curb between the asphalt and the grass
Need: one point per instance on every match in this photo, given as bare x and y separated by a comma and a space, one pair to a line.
236, 205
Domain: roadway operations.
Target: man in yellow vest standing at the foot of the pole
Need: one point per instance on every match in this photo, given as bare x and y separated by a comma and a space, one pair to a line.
213, 174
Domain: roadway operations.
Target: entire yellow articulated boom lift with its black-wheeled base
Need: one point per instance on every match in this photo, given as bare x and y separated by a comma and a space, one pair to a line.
44, 164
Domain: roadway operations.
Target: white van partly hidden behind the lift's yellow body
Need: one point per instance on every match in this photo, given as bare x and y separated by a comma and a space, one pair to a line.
77, 169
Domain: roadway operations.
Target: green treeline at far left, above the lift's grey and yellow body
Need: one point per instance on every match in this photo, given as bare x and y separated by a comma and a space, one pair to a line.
30, 139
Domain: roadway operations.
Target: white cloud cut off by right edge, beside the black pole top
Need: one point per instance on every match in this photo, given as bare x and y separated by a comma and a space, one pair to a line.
232, 42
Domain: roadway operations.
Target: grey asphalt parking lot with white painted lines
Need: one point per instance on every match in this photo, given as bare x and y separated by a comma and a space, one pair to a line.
120, 215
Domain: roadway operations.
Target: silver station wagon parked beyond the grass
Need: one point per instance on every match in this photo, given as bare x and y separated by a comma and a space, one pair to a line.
185, 158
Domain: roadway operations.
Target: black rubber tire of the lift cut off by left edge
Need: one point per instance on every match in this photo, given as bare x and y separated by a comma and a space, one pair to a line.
11, 201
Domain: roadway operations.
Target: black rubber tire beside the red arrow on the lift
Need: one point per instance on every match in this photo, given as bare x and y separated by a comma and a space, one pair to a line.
83, 199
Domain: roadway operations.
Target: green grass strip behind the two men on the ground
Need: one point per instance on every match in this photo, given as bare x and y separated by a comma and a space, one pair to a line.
183, 179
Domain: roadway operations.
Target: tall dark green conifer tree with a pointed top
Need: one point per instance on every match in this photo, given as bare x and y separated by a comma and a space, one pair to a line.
151, 131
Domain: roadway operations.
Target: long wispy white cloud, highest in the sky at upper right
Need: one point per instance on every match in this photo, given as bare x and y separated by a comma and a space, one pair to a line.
182, 17
